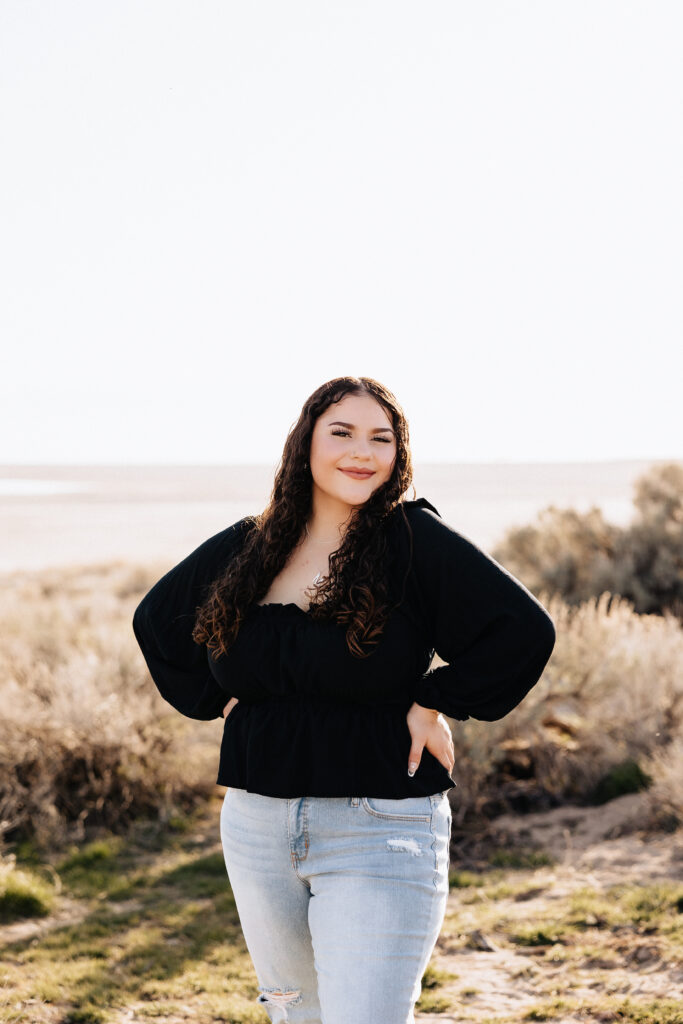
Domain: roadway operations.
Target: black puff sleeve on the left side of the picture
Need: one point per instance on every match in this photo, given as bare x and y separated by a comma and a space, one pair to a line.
163, 625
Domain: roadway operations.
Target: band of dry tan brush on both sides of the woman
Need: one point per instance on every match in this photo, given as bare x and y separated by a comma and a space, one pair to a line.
87, 740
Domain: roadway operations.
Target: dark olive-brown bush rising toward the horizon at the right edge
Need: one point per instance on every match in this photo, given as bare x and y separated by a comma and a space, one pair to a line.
580, 556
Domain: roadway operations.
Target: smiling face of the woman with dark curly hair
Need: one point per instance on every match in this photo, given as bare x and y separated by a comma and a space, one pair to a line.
353, 450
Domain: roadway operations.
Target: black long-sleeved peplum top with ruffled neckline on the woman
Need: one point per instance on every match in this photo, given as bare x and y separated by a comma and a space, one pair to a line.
315, 720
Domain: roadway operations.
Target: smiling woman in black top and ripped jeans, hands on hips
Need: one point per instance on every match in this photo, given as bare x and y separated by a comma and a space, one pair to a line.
312, 629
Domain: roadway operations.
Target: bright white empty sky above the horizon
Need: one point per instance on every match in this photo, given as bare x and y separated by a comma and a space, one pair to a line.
209, 208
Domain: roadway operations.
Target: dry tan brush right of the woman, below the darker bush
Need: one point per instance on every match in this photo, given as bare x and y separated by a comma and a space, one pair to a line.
611, 700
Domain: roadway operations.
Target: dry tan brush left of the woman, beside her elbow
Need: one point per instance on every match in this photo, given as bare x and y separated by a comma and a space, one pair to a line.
86, 739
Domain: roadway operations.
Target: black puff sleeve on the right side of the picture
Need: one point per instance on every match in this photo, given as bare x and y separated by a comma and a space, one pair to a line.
494, 635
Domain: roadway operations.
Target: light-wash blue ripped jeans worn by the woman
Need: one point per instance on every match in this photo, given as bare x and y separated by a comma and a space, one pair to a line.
341, 901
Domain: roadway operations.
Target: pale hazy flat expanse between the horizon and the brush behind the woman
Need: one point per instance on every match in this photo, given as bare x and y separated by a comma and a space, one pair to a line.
61, 516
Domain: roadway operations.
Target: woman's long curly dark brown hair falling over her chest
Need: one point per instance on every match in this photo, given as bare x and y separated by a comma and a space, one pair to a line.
356, 593
